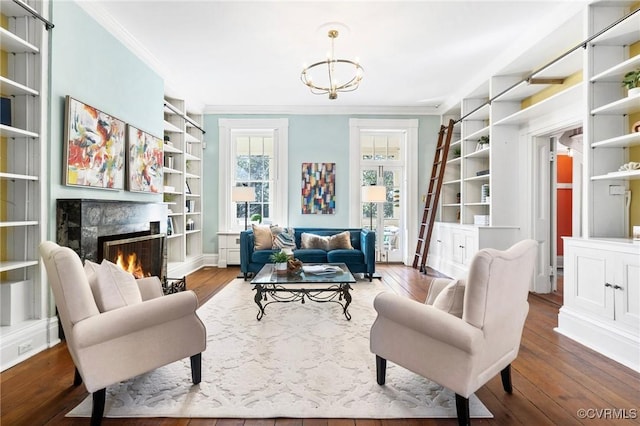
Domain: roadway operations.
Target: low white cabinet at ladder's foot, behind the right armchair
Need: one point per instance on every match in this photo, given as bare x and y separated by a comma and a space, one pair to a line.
453, 246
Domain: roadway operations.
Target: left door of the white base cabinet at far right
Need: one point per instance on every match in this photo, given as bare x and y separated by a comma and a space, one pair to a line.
590, 278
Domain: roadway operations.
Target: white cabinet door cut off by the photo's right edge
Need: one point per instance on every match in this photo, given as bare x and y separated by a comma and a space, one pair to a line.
627, 290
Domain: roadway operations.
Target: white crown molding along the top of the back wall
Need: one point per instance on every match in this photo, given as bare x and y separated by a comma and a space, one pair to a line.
321, 110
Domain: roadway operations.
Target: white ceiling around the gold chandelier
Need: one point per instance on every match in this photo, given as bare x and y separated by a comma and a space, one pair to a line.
418, 56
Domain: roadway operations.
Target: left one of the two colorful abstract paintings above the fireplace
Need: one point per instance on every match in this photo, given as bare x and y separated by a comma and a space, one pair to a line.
95, 142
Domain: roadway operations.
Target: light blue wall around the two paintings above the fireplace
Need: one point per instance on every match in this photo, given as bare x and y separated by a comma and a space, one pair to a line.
92, 66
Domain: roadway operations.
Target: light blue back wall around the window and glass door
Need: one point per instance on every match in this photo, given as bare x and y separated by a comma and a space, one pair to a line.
312, 138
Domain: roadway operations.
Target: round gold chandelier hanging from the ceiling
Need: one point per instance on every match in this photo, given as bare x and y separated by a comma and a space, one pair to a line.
344, 75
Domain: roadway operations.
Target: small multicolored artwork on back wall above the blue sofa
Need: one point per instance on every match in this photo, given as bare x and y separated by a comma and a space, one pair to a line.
318, 188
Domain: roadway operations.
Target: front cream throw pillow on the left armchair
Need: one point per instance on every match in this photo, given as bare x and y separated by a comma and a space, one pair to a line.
114, 287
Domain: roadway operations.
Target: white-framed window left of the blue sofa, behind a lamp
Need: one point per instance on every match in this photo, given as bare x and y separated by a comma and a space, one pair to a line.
253, 152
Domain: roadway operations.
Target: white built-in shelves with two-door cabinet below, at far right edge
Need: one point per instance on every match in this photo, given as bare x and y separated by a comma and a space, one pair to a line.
602, 269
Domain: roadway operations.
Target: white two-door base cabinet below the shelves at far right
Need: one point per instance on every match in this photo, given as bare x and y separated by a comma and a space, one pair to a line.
602, 297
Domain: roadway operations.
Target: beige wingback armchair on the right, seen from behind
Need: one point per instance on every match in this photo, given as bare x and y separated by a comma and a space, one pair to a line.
460, 353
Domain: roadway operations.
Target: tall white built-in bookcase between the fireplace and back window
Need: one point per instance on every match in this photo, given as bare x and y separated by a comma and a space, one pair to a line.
183, 147
